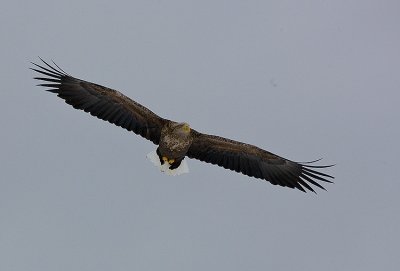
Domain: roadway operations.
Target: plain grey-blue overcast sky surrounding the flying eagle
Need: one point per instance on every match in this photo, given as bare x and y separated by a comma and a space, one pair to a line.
303, 79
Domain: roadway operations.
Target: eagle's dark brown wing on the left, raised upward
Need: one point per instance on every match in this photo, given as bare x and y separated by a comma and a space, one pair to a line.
102, 102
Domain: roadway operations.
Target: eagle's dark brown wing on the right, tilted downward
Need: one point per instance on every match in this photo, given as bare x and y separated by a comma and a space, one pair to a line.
255, 162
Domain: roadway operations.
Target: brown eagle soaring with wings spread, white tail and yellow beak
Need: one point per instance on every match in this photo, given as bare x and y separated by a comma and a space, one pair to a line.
176, 140
